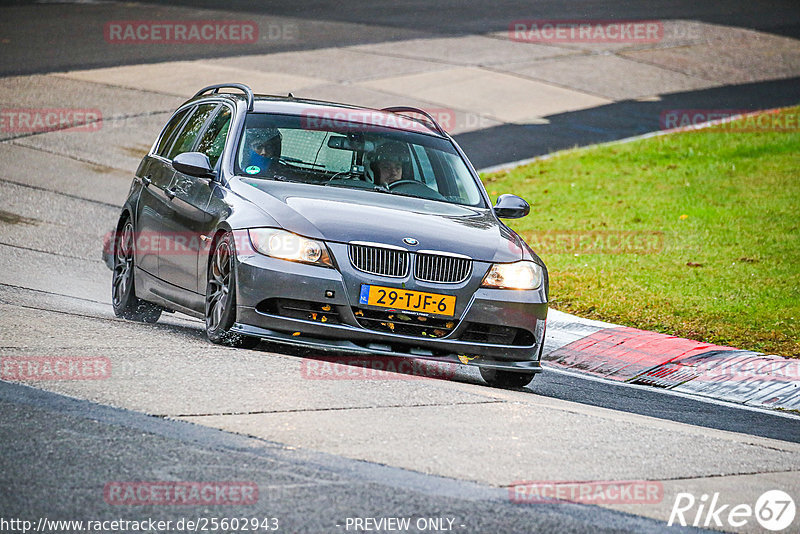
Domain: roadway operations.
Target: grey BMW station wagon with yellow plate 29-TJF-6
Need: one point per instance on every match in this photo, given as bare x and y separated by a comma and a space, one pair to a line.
331, 227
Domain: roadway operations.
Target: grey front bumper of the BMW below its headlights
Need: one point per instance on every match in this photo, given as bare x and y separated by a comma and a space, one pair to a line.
261, 277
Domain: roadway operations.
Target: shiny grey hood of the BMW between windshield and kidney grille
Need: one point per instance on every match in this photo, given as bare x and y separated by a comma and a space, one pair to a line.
344, 215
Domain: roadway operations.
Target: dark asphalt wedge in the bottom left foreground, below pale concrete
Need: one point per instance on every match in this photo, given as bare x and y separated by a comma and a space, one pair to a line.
89, 444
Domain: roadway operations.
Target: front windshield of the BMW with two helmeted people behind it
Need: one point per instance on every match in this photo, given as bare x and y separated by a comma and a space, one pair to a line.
285, 148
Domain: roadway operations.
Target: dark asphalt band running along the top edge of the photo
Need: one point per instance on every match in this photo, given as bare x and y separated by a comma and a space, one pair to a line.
52, 28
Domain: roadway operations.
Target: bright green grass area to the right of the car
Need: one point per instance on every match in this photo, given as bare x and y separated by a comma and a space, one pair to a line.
695, 234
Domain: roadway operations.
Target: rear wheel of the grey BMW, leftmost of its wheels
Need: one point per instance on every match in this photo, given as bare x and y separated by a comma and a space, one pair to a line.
123, 293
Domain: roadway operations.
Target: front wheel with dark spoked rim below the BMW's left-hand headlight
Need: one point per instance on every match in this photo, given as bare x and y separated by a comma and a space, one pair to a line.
220, 309
